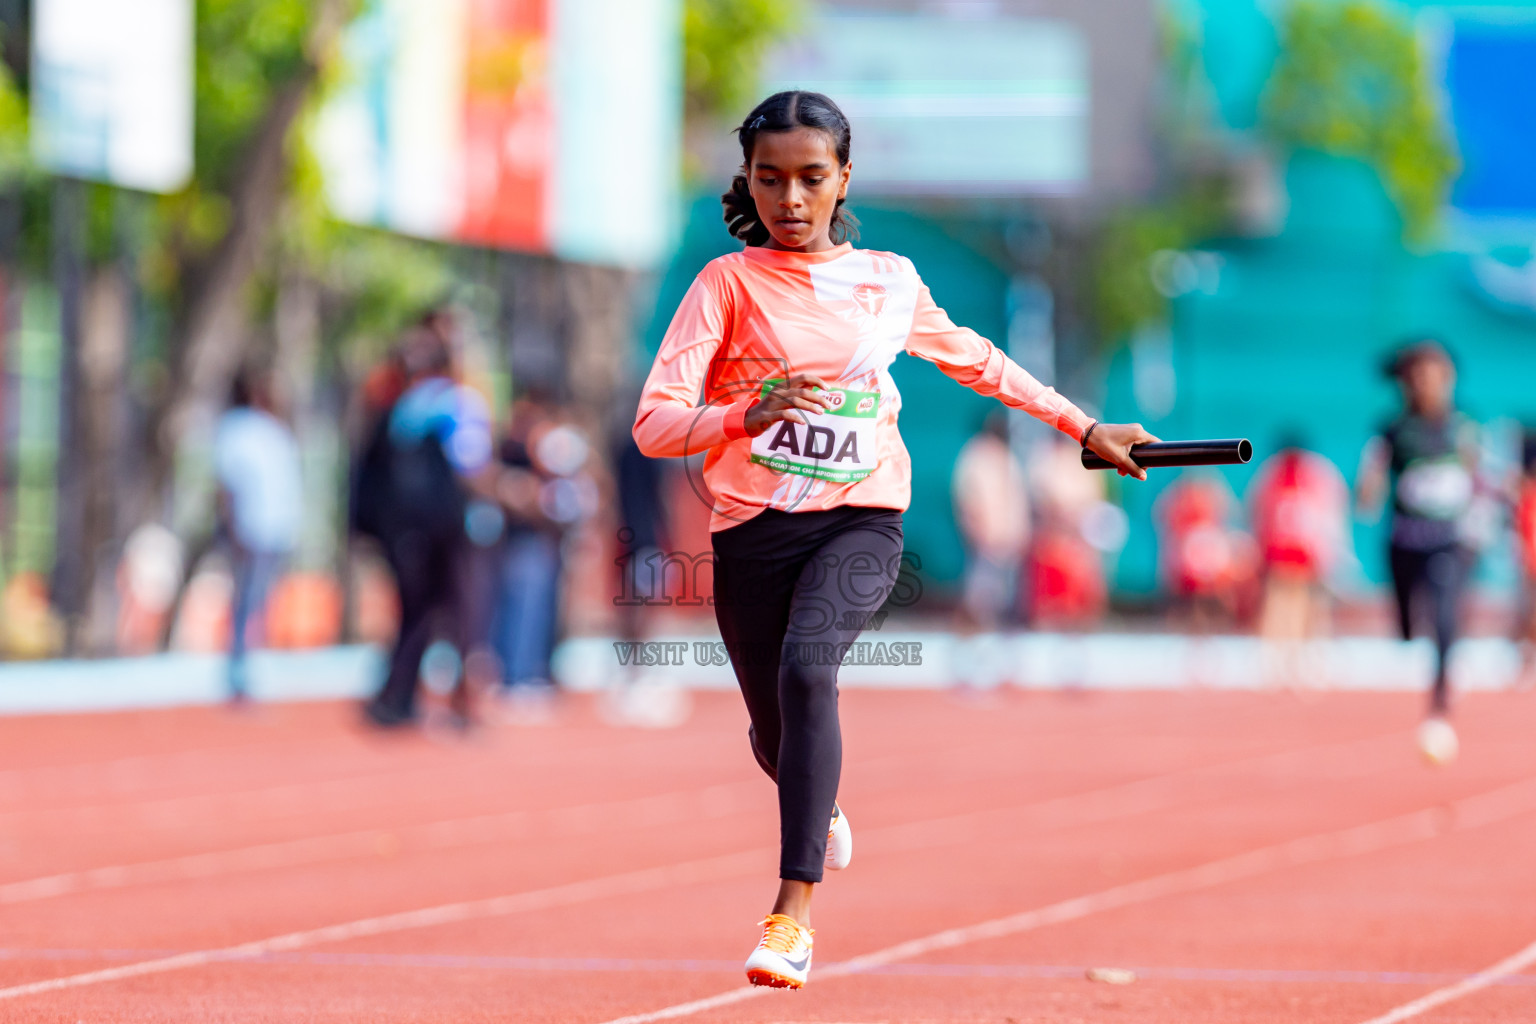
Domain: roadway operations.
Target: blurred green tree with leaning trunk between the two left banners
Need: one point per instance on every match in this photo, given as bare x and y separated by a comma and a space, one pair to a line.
213, 256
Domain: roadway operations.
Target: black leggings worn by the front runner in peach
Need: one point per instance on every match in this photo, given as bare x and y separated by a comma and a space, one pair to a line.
792, 590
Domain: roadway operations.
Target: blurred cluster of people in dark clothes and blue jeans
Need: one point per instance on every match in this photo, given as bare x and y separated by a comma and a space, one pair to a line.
471, 517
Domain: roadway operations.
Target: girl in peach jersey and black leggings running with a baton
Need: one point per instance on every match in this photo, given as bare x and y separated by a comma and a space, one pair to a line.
790, 343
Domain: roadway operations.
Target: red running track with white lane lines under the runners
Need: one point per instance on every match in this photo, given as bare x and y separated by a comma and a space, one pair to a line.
1251, 857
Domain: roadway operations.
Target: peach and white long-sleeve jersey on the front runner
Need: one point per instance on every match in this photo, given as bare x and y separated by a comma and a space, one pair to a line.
846, 314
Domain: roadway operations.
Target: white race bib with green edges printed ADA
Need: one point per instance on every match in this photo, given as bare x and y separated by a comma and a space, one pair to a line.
838, 444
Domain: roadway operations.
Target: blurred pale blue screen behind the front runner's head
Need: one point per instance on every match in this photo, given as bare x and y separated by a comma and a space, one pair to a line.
952, 107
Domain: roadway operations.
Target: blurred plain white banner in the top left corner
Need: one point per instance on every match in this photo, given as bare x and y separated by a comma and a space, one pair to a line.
113, 91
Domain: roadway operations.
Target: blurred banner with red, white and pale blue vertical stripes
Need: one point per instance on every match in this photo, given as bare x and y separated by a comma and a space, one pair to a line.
535, 125
